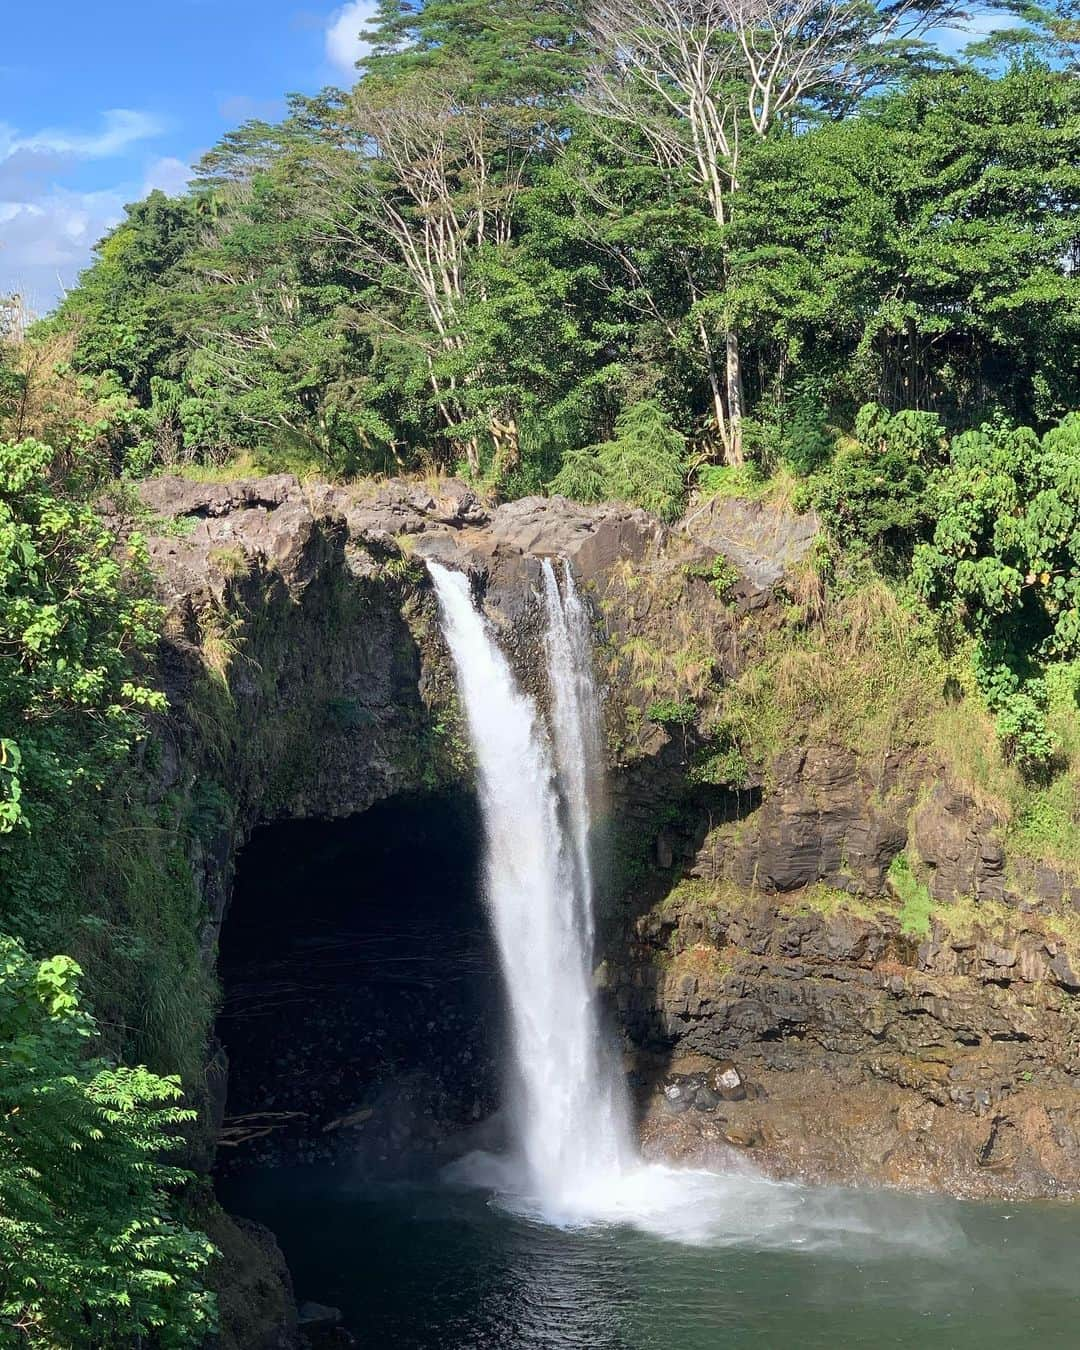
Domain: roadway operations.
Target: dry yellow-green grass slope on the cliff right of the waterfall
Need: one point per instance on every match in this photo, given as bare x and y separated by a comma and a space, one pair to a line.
871, 676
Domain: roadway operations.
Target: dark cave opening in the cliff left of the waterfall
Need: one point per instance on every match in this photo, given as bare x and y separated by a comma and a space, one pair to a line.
361, 1000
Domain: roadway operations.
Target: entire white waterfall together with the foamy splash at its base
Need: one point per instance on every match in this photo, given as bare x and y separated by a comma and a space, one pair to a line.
576, 1159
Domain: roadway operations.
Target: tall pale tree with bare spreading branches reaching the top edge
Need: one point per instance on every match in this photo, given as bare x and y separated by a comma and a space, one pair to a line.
695, 79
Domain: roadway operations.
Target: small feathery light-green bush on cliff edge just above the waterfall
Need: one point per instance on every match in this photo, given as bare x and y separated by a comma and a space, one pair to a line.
645, 464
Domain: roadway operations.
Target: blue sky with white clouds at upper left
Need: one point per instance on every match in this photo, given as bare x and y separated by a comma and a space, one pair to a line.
101, 103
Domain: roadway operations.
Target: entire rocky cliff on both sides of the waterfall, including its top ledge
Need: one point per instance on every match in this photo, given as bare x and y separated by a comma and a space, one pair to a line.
913, 1028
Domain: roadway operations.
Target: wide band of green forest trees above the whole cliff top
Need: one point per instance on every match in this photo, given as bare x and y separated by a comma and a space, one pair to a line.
458, 261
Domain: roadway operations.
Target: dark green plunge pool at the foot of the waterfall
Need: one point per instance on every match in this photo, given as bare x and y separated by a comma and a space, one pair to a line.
438, 1268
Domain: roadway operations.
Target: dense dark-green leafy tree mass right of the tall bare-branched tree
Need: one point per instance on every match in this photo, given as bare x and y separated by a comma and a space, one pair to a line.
888, 257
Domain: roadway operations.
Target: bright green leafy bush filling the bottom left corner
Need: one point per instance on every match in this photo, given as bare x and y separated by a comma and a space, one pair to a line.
88, 1251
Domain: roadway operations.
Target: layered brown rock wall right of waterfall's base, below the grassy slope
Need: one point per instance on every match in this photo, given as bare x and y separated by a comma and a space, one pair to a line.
873, 1052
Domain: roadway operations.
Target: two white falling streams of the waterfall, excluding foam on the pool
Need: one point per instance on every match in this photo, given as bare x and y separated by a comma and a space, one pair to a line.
537, 786
